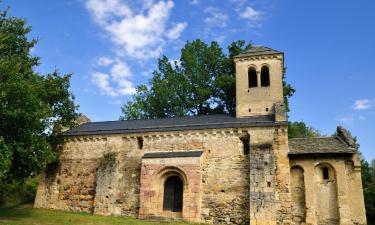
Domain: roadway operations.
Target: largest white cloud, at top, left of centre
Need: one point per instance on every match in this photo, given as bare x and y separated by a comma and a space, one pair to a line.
140, 34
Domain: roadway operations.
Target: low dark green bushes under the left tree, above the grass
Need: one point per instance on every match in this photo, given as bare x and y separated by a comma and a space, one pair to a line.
15, 193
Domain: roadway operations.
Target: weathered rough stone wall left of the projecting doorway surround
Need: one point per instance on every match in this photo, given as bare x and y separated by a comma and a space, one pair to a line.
70, 189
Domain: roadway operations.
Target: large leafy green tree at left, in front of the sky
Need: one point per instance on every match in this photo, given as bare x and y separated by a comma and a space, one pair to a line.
31, 104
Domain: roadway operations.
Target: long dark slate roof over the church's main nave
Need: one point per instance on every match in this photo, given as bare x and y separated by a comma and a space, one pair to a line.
170, 124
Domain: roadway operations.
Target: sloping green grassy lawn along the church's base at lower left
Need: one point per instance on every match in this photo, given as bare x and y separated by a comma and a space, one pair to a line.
26, 214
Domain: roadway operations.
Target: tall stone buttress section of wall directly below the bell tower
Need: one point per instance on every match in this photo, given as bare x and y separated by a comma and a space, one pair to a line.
270, 197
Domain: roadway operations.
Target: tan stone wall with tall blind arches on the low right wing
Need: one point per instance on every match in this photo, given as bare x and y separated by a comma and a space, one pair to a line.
338, 200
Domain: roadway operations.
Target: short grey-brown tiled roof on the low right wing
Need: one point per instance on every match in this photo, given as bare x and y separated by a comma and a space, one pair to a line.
321, 145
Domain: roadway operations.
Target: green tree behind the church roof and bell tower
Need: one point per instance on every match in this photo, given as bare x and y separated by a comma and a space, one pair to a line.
201, 83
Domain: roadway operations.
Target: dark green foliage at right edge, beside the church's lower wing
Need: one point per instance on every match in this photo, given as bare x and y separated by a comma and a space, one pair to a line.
368, 183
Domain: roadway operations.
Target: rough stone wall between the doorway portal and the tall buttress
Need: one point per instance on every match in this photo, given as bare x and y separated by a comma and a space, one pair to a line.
226, 181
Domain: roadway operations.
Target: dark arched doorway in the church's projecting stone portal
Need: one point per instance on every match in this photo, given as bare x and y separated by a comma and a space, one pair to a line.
173, 194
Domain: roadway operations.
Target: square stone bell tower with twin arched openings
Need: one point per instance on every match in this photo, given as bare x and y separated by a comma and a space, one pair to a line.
259, 83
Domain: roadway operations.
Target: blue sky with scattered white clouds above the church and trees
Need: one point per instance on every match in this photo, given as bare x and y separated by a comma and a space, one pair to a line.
112, 46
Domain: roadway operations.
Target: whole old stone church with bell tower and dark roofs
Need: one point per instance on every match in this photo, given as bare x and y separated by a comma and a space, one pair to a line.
211, 169
